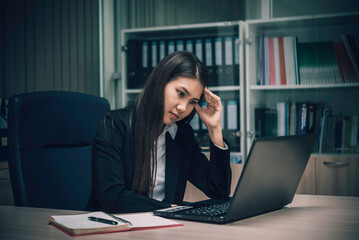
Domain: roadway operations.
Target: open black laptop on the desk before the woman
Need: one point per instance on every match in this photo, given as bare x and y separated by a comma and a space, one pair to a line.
268, 182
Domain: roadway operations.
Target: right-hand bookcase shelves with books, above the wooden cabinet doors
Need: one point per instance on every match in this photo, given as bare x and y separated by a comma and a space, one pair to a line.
318, 81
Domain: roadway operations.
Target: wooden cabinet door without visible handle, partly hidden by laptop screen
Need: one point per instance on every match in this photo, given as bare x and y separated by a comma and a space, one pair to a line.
307, 183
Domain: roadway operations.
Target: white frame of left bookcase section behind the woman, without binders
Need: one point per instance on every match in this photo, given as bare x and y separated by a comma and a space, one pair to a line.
197, 31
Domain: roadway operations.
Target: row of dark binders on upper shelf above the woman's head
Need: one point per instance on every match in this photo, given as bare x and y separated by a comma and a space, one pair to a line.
219, 53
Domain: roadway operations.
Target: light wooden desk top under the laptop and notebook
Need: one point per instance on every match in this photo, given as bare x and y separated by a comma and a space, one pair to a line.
308, 217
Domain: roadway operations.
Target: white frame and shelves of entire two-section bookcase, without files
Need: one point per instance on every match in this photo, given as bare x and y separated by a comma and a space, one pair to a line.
340, 97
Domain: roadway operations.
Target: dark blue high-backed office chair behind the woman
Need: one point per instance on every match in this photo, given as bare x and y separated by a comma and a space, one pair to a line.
50, 137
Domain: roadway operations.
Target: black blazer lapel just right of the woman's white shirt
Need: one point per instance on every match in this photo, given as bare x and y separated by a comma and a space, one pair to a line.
173, 156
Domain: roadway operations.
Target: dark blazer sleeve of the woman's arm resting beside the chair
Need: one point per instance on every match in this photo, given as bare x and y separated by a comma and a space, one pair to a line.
112, 168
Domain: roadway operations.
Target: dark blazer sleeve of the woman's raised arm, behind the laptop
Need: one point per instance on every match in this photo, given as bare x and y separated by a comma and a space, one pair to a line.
213, 177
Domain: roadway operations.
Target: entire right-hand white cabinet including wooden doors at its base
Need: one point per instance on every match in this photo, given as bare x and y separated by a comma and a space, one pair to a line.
332, 169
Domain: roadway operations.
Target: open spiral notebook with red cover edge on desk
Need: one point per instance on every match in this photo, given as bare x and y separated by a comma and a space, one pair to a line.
79, 224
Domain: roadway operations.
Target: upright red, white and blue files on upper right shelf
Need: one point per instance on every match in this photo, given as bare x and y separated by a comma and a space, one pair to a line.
277, 58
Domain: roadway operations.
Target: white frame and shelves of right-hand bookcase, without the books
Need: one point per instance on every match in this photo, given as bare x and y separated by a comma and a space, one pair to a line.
341, 98
